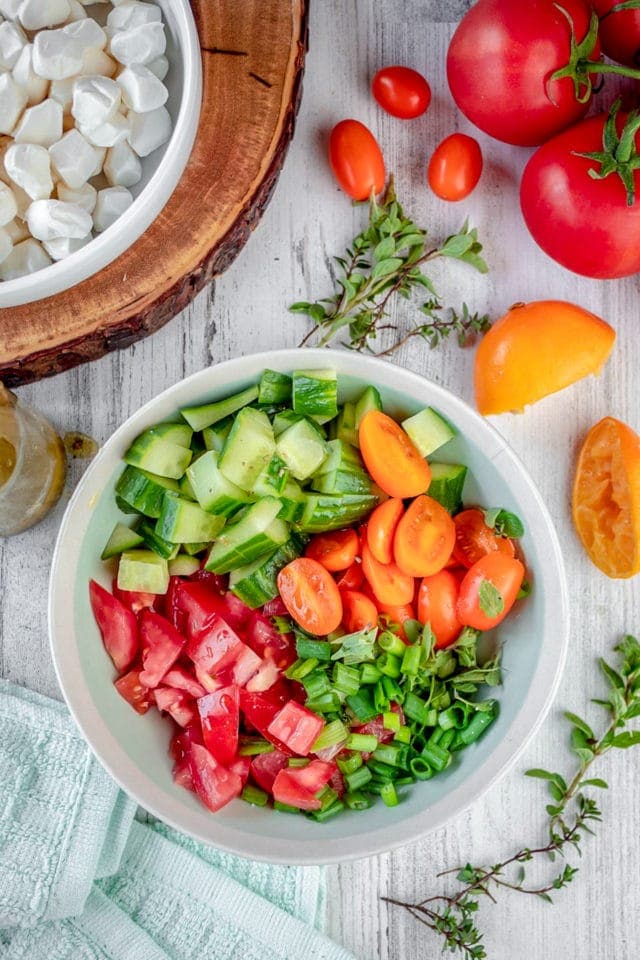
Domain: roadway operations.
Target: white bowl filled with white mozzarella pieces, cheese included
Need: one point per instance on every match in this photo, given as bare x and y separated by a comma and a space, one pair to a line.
99, 109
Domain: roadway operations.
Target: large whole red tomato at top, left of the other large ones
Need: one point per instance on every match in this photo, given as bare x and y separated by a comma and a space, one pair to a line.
501, 62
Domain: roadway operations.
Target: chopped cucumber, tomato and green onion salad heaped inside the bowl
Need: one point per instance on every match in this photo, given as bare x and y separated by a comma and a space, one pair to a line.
305, 596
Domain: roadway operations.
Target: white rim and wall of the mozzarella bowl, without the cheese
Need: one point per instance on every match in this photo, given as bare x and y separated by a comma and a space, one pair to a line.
161, 170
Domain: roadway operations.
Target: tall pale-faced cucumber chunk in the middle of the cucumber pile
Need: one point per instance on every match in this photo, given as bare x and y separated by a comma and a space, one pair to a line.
248, 448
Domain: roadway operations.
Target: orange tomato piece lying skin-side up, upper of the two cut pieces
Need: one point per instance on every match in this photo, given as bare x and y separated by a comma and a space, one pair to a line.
536, 349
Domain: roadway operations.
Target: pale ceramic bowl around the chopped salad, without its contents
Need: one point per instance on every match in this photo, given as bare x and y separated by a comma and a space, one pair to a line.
134, 749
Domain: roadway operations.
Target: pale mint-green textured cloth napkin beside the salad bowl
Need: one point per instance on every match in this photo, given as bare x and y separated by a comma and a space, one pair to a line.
157, 895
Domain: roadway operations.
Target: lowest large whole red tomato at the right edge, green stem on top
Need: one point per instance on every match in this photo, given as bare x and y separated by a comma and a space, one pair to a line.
584, 224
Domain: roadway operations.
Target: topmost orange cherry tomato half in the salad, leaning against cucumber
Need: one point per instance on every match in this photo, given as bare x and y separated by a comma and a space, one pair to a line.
391, 457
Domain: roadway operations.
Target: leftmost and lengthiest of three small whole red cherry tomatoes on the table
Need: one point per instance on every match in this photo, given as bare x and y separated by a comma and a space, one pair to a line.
356, 159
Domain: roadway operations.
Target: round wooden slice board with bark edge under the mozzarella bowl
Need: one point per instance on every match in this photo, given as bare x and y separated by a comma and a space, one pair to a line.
253, 58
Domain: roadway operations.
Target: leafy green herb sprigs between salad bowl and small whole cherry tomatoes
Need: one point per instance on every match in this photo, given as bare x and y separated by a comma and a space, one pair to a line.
386, 260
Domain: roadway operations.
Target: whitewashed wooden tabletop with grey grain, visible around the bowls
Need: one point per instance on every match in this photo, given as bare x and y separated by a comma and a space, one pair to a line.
307, 222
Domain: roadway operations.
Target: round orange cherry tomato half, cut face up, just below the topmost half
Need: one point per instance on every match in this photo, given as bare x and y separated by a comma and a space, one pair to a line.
424, 538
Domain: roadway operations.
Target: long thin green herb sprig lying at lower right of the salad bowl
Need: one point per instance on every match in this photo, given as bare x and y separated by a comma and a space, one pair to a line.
571, 814
